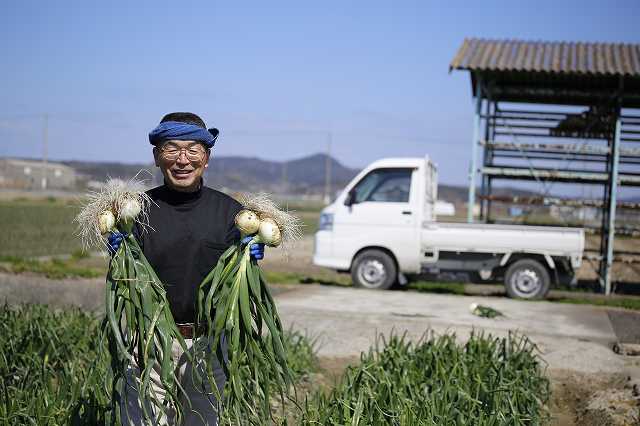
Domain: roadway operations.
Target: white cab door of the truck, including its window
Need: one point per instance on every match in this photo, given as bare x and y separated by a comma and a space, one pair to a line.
382, 210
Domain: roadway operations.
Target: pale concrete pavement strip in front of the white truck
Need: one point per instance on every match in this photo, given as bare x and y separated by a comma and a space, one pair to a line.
346, 322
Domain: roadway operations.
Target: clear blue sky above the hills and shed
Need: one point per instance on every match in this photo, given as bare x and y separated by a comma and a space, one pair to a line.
274, 77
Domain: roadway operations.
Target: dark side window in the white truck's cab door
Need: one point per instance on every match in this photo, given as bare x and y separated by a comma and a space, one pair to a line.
384, 185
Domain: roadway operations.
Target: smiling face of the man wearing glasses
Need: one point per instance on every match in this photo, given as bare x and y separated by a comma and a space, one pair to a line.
182, 163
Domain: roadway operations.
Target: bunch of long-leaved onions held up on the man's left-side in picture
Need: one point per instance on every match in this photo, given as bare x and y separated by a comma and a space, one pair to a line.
138, 324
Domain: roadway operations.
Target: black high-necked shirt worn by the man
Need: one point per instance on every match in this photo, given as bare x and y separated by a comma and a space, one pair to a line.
189, 231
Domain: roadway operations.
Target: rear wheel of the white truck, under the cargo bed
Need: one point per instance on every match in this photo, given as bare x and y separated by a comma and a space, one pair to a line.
527, 279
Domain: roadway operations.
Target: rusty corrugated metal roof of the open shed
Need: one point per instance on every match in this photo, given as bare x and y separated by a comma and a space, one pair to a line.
552, 57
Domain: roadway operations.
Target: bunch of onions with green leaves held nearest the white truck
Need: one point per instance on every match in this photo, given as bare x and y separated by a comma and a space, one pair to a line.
235, 304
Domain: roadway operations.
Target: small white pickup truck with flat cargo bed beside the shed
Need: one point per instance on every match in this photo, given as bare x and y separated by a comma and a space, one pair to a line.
382, 229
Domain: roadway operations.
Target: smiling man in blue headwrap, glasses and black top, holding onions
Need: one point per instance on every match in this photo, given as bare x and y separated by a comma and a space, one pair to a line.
191, 226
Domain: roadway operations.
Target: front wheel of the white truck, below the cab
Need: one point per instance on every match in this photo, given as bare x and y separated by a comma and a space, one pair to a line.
373, 269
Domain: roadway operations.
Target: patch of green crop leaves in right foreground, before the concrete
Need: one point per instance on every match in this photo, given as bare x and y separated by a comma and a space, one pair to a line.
486, 381
